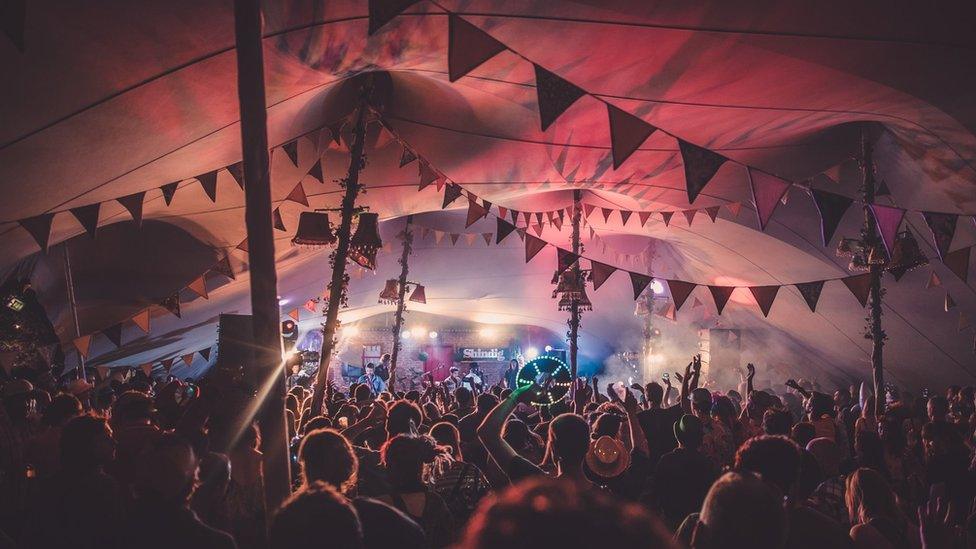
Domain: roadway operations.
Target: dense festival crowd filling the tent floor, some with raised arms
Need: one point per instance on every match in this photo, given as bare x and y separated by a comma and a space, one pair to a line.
610, 465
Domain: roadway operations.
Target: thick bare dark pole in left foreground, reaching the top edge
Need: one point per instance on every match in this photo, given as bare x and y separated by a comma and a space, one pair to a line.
261, 255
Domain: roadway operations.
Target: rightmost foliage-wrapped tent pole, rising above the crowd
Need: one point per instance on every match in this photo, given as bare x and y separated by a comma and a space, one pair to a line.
871, 239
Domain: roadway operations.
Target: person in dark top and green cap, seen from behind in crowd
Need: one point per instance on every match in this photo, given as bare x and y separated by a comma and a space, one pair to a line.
684, 475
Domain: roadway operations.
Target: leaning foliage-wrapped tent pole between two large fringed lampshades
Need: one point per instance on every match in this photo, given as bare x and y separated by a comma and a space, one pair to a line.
337, 287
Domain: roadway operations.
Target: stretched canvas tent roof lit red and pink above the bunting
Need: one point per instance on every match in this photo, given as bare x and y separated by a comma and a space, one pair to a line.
116, 98
